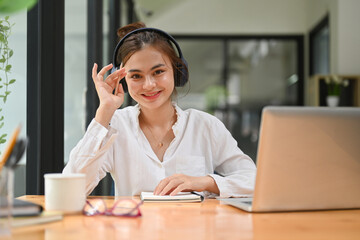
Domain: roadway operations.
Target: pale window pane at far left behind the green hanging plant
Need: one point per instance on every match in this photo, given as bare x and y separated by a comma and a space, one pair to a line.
14, 110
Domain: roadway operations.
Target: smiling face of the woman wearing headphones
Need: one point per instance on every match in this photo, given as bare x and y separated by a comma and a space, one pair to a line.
150, 77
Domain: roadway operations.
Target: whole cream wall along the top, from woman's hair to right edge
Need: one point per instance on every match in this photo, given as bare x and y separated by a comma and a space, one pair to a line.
269, 17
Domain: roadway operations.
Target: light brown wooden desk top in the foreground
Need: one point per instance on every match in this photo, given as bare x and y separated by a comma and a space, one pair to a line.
207, 220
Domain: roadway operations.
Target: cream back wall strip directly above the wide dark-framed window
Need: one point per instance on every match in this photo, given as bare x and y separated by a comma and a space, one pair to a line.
232, 17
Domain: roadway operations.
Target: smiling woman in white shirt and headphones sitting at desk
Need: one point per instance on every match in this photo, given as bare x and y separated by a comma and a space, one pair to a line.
155, 145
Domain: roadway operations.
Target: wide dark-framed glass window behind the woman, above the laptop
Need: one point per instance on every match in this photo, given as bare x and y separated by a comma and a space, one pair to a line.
235, 77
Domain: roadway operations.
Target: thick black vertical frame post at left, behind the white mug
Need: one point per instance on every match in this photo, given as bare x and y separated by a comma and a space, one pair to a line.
45, 92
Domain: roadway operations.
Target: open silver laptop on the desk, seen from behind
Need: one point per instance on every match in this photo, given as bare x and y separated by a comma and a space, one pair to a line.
308, 159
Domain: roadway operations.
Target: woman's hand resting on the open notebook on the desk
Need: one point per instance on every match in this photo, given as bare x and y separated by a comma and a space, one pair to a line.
183, 183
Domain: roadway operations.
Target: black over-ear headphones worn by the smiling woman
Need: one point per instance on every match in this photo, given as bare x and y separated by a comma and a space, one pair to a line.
181, 74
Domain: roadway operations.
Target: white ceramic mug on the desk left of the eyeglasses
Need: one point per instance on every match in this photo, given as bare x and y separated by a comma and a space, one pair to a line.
65, 192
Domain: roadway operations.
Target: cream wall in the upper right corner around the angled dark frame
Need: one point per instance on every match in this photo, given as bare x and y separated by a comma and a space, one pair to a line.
344, 32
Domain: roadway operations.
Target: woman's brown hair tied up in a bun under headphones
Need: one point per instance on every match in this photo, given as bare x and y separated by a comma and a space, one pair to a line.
139, 40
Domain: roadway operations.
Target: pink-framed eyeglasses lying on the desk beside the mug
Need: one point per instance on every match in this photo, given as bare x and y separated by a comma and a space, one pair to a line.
123, 207
